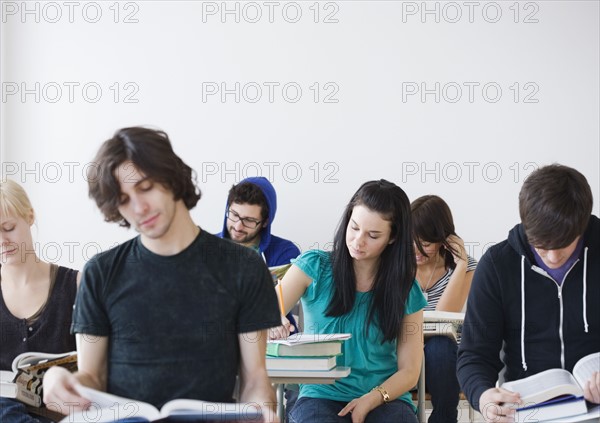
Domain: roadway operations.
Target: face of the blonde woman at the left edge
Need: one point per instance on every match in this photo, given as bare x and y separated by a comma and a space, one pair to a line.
15, 238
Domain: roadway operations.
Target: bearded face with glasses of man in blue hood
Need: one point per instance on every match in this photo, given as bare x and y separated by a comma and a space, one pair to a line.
245, 223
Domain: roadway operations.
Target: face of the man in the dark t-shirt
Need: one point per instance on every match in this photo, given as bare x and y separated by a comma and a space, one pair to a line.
148, 206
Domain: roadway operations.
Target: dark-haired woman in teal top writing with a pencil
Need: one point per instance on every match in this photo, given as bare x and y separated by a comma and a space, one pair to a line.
365, 286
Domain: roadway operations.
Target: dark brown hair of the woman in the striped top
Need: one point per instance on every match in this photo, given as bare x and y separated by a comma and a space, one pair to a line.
432, 222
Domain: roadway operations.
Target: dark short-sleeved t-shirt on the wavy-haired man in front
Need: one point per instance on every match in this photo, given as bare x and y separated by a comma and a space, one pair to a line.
173, 321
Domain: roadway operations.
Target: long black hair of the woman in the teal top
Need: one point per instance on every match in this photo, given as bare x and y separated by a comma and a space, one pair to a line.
397, 266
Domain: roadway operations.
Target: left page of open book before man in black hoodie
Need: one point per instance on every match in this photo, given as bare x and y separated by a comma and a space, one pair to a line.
545, 385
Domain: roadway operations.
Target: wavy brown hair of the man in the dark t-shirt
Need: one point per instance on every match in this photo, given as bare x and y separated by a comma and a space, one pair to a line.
152, 154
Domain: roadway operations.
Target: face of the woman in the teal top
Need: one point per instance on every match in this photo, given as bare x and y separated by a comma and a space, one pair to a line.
367, 234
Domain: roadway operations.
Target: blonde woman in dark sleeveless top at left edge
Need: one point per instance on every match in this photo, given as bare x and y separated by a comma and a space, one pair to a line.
36, 299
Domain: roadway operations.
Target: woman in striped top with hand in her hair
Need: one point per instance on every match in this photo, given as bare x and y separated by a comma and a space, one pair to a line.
444, 272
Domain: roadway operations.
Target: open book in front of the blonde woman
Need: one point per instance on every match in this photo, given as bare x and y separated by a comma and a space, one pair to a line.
25, 381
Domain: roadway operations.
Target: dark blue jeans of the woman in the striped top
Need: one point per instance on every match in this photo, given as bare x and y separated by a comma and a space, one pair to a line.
440, 378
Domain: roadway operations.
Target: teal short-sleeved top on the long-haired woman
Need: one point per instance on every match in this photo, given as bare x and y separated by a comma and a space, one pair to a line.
371, 361
